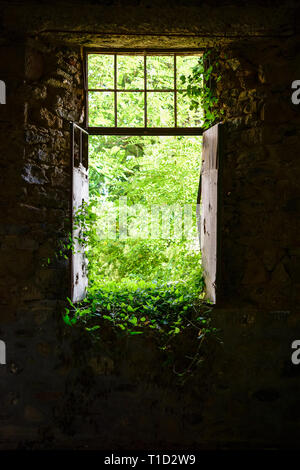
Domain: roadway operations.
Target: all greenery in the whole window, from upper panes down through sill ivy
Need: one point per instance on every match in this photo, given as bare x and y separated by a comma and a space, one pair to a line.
136, 281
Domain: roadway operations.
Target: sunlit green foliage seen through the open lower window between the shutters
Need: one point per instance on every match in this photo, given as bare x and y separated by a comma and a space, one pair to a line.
147, 171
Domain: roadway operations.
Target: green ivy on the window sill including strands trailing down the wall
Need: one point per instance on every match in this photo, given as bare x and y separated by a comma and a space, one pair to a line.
134, 308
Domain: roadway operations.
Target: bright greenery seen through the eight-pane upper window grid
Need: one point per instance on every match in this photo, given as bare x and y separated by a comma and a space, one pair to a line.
140, 90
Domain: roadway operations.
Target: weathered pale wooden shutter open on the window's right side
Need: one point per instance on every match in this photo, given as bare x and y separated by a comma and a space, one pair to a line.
209, 209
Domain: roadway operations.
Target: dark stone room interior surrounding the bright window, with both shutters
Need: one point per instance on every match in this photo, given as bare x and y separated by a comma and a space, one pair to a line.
62, 389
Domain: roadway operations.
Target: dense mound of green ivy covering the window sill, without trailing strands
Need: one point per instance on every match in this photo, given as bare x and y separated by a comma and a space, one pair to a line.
134, 307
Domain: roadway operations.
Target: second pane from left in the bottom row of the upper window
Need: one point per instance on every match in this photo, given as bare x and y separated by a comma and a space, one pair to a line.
131, 109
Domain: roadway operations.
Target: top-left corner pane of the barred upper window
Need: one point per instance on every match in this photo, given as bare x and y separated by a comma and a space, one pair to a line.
100, 71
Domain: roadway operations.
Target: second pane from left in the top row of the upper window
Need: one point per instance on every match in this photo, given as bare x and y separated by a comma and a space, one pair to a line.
130, 70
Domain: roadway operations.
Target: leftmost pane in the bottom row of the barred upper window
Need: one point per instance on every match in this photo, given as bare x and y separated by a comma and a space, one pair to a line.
101, 109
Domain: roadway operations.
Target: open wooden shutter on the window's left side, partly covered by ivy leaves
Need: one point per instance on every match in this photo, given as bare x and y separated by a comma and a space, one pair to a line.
79, 193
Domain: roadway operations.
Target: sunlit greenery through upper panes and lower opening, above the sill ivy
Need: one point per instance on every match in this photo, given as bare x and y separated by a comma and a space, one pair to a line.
134, 91
